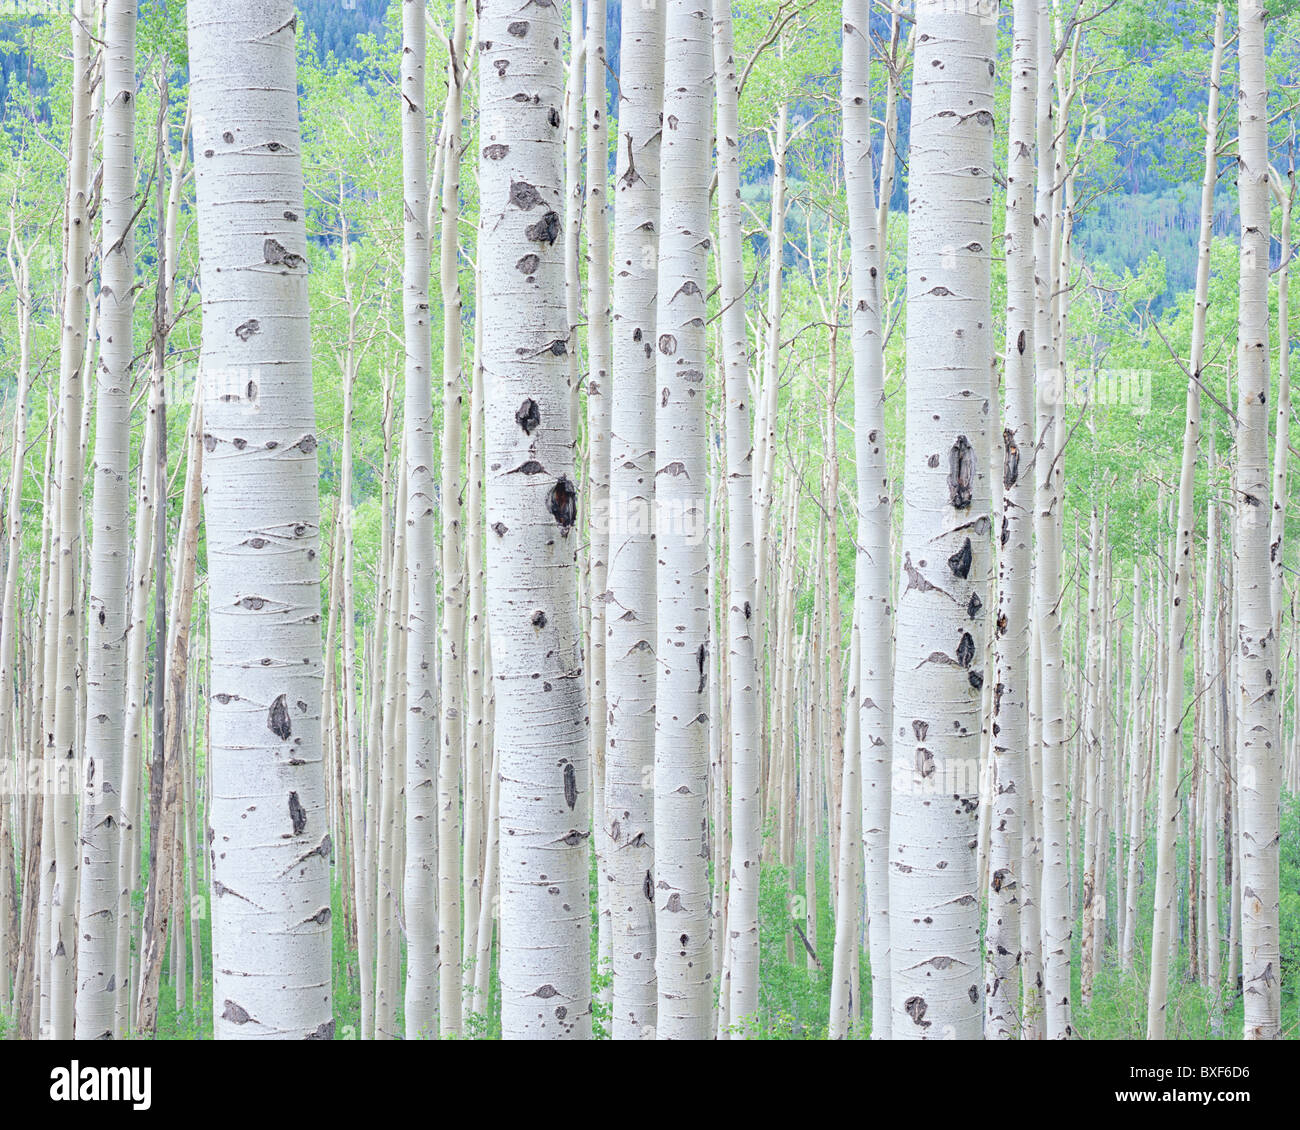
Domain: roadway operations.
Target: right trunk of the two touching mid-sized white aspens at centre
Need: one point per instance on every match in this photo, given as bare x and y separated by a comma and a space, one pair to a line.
682, 510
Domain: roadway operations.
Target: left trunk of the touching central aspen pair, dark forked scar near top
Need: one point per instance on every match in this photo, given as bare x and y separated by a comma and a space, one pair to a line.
630, 605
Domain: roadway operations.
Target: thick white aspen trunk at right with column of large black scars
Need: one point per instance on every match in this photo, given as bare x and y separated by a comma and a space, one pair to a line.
946, 542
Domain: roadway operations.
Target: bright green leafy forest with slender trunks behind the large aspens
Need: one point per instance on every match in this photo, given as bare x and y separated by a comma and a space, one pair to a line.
1130, 93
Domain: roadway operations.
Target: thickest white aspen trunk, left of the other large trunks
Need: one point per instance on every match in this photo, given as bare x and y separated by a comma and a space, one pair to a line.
267, 790
